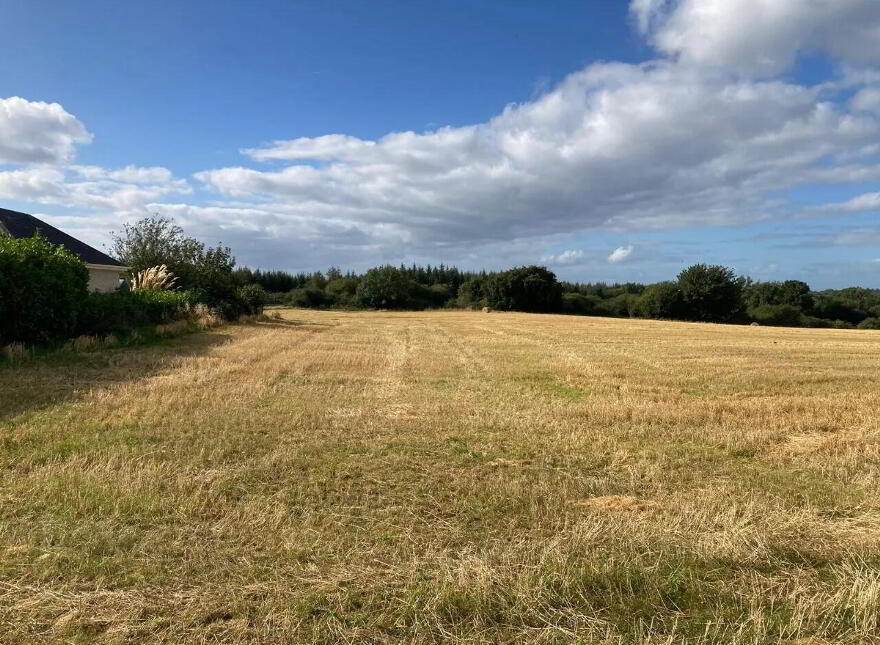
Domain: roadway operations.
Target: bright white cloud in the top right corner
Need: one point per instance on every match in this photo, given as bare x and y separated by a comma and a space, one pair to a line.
761, 37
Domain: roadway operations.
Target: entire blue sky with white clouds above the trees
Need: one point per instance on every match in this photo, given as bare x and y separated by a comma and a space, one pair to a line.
610, 141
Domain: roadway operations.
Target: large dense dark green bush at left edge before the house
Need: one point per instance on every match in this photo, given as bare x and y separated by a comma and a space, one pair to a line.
42, 289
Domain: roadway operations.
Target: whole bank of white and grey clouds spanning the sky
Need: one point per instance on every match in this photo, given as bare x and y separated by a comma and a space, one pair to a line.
710, 134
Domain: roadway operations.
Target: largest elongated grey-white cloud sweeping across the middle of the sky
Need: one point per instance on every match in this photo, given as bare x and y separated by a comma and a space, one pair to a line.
626, 146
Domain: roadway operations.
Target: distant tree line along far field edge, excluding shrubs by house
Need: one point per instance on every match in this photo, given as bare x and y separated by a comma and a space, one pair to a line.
702, 292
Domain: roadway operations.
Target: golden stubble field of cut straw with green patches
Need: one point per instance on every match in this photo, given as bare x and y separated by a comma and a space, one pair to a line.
446, 477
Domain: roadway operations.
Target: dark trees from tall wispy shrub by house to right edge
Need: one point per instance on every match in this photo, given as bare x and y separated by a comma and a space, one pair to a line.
702, 292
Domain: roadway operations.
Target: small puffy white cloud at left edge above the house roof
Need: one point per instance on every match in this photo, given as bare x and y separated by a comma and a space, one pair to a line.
37, 132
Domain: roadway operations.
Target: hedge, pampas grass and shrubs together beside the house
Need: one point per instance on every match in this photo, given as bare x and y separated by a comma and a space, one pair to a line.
44, 296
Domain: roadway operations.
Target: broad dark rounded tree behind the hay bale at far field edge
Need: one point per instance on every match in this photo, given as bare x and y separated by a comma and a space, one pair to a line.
528, 288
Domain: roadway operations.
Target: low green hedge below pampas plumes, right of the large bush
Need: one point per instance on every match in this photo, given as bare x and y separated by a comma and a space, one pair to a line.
123, 311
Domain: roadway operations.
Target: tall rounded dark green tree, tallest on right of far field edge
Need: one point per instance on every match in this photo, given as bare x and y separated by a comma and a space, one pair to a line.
710, 293
